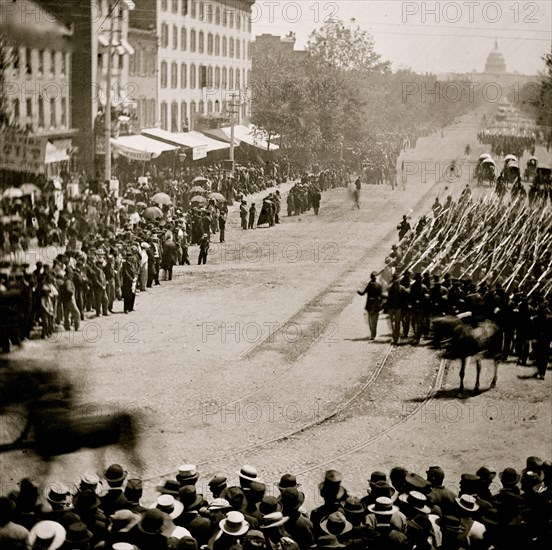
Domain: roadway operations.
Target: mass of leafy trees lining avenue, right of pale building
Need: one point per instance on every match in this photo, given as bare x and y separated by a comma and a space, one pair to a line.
339, 99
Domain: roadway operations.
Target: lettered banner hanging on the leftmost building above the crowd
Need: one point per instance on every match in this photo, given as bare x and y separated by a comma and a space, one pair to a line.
20, 152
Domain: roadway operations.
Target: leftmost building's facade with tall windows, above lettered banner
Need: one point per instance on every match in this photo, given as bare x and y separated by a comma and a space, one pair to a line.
38, 79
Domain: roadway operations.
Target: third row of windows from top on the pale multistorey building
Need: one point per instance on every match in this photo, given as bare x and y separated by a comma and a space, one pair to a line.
203, 77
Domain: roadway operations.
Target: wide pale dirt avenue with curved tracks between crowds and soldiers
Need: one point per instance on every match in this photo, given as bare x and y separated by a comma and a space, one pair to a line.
261, 357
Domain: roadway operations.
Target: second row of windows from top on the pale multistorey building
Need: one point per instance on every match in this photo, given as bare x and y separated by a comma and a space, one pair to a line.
230, 47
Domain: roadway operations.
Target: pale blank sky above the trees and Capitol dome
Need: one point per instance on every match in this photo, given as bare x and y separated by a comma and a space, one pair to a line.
437, 37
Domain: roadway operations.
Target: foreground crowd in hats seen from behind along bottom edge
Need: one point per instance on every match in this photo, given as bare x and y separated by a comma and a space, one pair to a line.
398, 510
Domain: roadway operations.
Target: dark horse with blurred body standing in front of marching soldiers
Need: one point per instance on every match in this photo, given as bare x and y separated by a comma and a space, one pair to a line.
462, 337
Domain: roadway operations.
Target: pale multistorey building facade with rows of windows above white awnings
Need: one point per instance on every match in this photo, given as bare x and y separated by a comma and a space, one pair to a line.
203, 59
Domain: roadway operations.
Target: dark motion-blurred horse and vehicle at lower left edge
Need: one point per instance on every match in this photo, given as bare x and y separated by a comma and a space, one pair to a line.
50, 422
